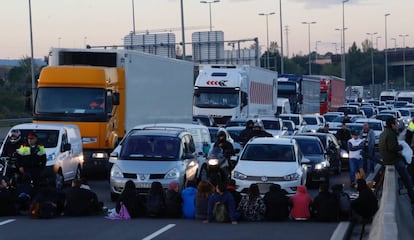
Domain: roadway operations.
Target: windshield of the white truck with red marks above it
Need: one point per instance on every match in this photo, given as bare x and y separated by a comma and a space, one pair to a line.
216, 98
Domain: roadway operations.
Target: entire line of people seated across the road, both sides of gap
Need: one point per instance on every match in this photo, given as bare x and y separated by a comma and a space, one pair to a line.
202, 201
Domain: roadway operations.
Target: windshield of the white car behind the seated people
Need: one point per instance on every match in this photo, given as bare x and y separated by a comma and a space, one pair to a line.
268, 152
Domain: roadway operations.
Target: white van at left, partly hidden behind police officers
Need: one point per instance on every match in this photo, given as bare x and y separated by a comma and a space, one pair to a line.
63, 145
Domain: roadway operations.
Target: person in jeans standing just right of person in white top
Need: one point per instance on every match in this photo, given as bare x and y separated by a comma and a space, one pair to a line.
368, 151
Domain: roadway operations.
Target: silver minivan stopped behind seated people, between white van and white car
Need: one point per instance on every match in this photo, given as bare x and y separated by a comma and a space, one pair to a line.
148, 155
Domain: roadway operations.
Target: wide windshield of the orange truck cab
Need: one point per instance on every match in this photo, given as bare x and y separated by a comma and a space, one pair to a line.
70, 100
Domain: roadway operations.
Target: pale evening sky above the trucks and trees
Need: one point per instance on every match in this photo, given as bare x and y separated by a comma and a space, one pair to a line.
74, 23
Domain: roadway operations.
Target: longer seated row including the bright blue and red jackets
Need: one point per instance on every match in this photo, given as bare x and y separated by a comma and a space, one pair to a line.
222, 203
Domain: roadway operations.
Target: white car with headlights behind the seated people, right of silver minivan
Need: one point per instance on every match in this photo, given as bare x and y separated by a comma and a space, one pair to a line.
268, 160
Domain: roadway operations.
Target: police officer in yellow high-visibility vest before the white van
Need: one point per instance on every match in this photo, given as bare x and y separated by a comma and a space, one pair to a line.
32, 159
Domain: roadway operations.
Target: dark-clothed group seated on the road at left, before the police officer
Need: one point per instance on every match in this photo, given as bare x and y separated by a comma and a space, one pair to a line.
47, 201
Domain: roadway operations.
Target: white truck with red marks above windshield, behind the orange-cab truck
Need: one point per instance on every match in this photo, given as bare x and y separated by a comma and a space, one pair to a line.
230, 91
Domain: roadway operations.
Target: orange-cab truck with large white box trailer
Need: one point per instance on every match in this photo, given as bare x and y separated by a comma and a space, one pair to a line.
107, 92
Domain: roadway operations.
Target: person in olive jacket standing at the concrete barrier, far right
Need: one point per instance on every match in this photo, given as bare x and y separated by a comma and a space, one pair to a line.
390, 153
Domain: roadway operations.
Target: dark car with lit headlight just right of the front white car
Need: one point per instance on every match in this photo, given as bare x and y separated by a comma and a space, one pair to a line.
318, 167
